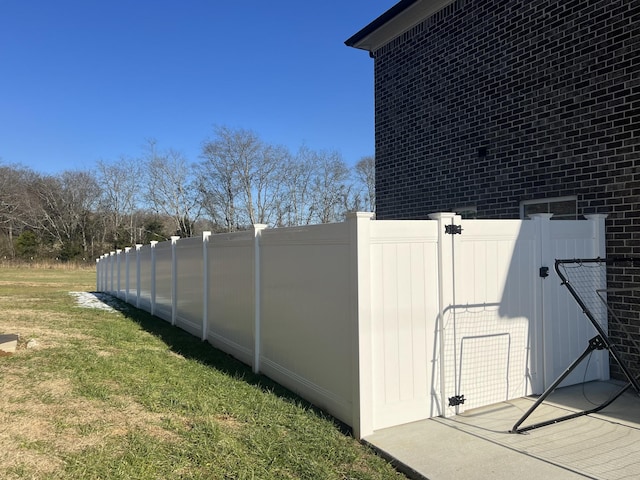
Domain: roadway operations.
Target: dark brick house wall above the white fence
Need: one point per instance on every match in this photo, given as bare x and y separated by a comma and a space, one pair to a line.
551, 90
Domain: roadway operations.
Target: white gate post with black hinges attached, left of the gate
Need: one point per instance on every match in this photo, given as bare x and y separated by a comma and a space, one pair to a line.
446, 298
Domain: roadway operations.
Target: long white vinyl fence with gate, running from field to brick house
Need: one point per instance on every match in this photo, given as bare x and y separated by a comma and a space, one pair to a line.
378, 322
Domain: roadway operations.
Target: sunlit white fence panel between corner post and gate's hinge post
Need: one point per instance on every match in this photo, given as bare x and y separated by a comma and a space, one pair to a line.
404, 311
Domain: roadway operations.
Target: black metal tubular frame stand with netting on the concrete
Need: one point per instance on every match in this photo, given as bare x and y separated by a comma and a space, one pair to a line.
599, 342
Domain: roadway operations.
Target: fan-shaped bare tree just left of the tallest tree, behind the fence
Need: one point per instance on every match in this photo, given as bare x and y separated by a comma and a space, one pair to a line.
171, 188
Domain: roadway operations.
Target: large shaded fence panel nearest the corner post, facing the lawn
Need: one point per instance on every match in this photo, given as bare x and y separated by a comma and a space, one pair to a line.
306, 335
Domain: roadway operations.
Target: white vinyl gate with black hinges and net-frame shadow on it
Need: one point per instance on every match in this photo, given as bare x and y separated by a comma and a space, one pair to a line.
491, 321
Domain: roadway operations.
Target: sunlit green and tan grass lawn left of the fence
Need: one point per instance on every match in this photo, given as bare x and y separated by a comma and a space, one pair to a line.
123, 395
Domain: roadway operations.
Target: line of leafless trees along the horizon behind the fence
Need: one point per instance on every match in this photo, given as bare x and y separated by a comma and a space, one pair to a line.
239, 180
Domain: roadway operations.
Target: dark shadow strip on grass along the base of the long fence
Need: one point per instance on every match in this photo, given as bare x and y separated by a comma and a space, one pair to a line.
190, 347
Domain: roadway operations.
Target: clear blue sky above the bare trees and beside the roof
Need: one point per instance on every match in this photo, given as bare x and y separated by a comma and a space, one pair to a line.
89, 80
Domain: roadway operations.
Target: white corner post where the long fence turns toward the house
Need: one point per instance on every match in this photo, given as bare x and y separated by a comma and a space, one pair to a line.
361, 327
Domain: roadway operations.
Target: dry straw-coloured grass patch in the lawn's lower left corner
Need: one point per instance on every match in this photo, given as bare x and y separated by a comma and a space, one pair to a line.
45, 421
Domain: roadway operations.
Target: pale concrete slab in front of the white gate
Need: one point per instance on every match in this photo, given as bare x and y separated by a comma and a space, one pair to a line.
477, 445
